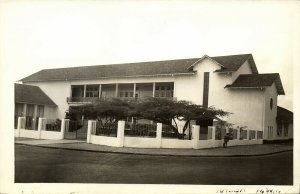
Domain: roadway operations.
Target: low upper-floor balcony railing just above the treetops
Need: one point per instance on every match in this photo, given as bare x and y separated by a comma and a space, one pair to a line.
97, 99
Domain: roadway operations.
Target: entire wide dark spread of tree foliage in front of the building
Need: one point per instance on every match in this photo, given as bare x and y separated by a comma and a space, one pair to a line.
160, 110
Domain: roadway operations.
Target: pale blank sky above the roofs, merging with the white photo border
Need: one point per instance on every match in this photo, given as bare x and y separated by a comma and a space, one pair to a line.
38, 35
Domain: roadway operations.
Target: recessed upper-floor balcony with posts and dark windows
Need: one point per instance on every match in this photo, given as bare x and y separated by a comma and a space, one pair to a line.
81, 94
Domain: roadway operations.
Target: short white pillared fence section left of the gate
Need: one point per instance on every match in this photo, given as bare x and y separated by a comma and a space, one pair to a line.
47, 129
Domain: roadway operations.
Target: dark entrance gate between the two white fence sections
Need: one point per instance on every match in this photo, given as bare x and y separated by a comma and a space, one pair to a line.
76, 129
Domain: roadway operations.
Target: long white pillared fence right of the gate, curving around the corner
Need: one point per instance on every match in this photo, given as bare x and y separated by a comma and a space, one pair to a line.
158, 142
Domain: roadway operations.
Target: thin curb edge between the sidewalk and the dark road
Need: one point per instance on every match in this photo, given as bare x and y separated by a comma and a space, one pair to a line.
147, 154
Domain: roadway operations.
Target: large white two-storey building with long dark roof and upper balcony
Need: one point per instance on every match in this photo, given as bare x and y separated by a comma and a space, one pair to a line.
231, 83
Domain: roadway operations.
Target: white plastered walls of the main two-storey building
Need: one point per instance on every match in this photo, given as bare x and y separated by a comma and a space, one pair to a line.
247, 105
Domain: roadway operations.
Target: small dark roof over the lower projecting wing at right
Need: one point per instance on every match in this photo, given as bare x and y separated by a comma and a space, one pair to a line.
258, 81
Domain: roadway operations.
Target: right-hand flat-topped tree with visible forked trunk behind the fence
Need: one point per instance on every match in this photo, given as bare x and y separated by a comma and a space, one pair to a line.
169, 112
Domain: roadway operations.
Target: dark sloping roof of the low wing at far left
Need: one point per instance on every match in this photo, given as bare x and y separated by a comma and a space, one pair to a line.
31, 95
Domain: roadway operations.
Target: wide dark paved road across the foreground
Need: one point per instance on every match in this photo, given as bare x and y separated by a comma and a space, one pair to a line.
36, 165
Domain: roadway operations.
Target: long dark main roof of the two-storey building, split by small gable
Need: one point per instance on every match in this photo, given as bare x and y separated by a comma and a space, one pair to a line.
153, 68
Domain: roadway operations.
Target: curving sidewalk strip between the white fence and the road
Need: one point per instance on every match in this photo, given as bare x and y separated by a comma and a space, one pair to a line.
252, 150
